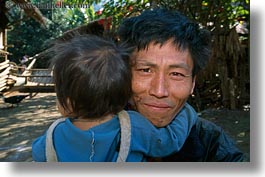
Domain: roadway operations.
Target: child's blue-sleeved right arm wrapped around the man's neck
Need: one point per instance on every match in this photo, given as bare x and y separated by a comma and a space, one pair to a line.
160, 142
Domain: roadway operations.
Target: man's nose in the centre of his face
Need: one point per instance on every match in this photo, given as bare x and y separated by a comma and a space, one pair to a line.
159, 86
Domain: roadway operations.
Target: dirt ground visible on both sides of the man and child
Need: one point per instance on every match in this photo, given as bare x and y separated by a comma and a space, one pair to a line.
20, 125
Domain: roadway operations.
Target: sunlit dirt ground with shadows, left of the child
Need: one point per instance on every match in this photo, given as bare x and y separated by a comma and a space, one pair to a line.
20, 125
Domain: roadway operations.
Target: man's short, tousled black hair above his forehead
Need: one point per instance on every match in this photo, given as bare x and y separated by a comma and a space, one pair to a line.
162, 25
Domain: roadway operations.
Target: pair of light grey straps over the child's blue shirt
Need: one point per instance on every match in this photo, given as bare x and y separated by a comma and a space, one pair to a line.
124, 146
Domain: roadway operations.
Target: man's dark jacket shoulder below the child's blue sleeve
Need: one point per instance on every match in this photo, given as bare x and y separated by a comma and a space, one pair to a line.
207, 142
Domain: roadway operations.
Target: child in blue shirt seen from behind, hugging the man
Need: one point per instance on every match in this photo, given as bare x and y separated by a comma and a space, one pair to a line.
93, 84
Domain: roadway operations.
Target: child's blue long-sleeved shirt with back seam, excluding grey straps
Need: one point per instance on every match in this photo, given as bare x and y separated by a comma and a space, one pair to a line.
101, 143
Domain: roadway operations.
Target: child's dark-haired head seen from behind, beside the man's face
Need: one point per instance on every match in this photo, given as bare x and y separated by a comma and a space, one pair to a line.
92, 76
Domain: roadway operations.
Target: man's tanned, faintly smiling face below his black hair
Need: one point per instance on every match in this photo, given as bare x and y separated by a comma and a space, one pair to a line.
161, 82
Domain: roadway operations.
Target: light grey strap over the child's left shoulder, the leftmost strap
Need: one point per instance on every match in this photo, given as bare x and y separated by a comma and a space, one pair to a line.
50, 151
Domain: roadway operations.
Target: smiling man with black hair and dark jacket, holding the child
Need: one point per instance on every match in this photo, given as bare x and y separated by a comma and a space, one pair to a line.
169, 52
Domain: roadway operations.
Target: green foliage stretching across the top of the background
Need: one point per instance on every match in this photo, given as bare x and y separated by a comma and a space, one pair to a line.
30, 38
